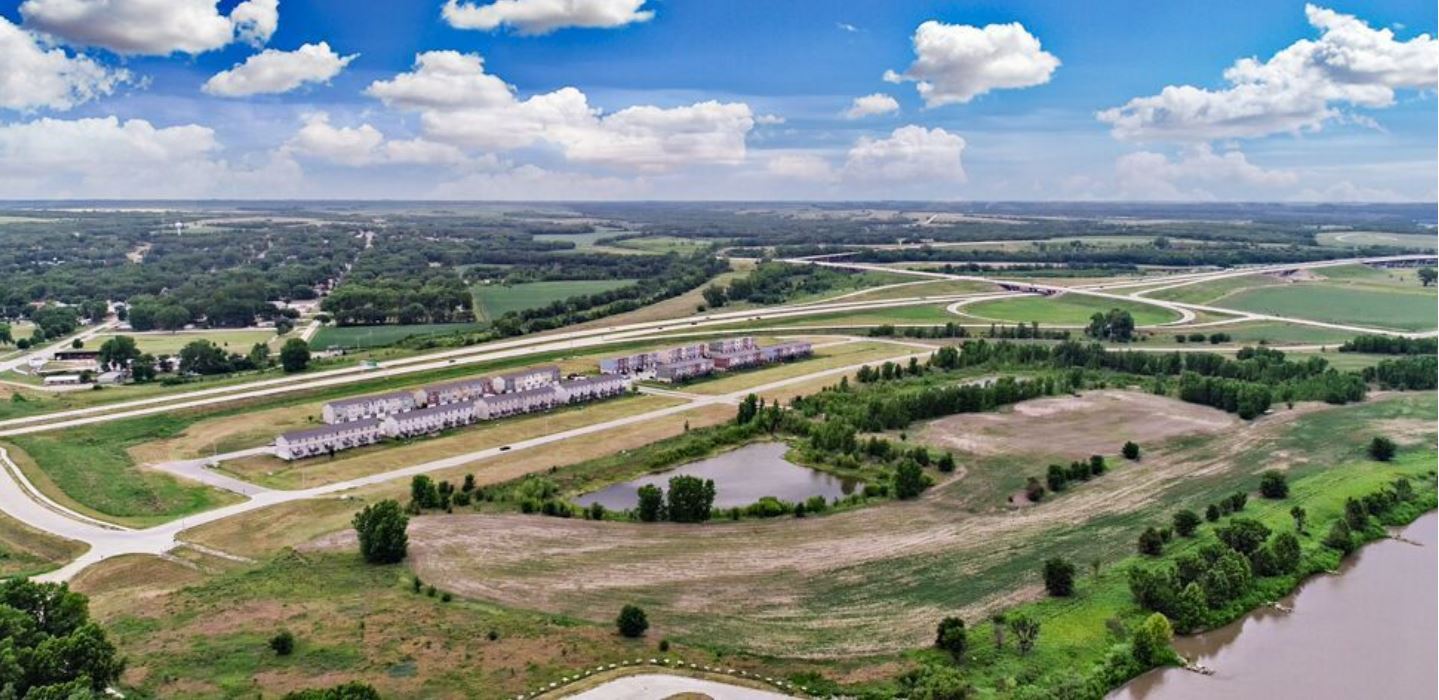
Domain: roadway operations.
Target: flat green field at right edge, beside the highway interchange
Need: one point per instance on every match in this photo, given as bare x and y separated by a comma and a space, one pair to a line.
1404, 310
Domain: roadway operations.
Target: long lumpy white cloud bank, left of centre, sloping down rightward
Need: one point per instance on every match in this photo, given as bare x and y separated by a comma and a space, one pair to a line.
463, 106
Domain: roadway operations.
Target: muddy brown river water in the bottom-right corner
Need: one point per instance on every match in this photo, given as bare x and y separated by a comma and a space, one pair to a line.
1368, 633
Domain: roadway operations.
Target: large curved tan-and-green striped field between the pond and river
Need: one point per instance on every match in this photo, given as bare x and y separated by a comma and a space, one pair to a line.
873, 581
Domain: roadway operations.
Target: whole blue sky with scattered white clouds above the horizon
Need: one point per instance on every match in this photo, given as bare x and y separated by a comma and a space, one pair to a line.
733, 100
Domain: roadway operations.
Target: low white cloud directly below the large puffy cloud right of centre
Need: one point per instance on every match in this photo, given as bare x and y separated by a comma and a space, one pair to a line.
907, 155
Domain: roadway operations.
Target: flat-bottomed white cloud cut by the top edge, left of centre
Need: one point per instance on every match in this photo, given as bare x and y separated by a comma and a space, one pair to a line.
545, 17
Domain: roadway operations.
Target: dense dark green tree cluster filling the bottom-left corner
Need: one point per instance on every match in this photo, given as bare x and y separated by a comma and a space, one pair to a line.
50, 647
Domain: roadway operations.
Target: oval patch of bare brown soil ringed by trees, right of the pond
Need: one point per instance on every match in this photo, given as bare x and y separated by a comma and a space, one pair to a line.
1077, 427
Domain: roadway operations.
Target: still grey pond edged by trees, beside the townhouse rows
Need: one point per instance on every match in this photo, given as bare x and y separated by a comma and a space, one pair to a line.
742, 477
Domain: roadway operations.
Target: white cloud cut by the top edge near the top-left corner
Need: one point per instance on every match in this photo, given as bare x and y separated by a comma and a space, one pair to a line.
152, 27
